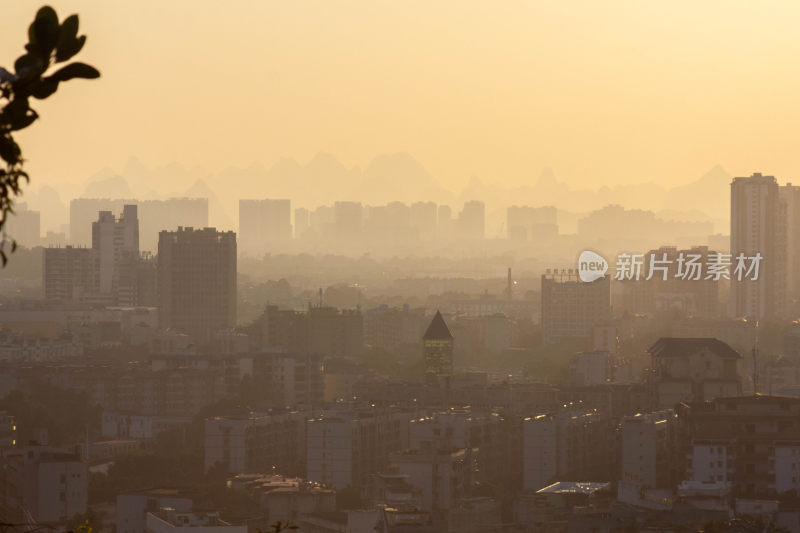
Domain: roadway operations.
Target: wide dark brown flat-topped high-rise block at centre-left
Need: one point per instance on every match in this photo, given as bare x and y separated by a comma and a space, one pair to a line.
197, 281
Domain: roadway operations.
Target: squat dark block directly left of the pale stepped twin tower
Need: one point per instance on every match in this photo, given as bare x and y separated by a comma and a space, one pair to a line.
70, 274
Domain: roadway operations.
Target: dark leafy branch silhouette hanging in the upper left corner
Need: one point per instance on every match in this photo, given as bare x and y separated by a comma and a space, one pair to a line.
49, 42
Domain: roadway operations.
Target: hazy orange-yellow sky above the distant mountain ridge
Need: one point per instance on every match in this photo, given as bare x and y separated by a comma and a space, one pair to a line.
602, 92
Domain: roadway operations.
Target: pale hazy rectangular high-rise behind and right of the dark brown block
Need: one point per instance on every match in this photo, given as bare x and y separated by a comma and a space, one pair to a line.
262, 224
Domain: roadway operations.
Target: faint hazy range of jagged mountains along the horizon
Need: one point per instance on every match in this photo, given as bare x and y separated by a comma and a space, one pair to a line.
400, 177
